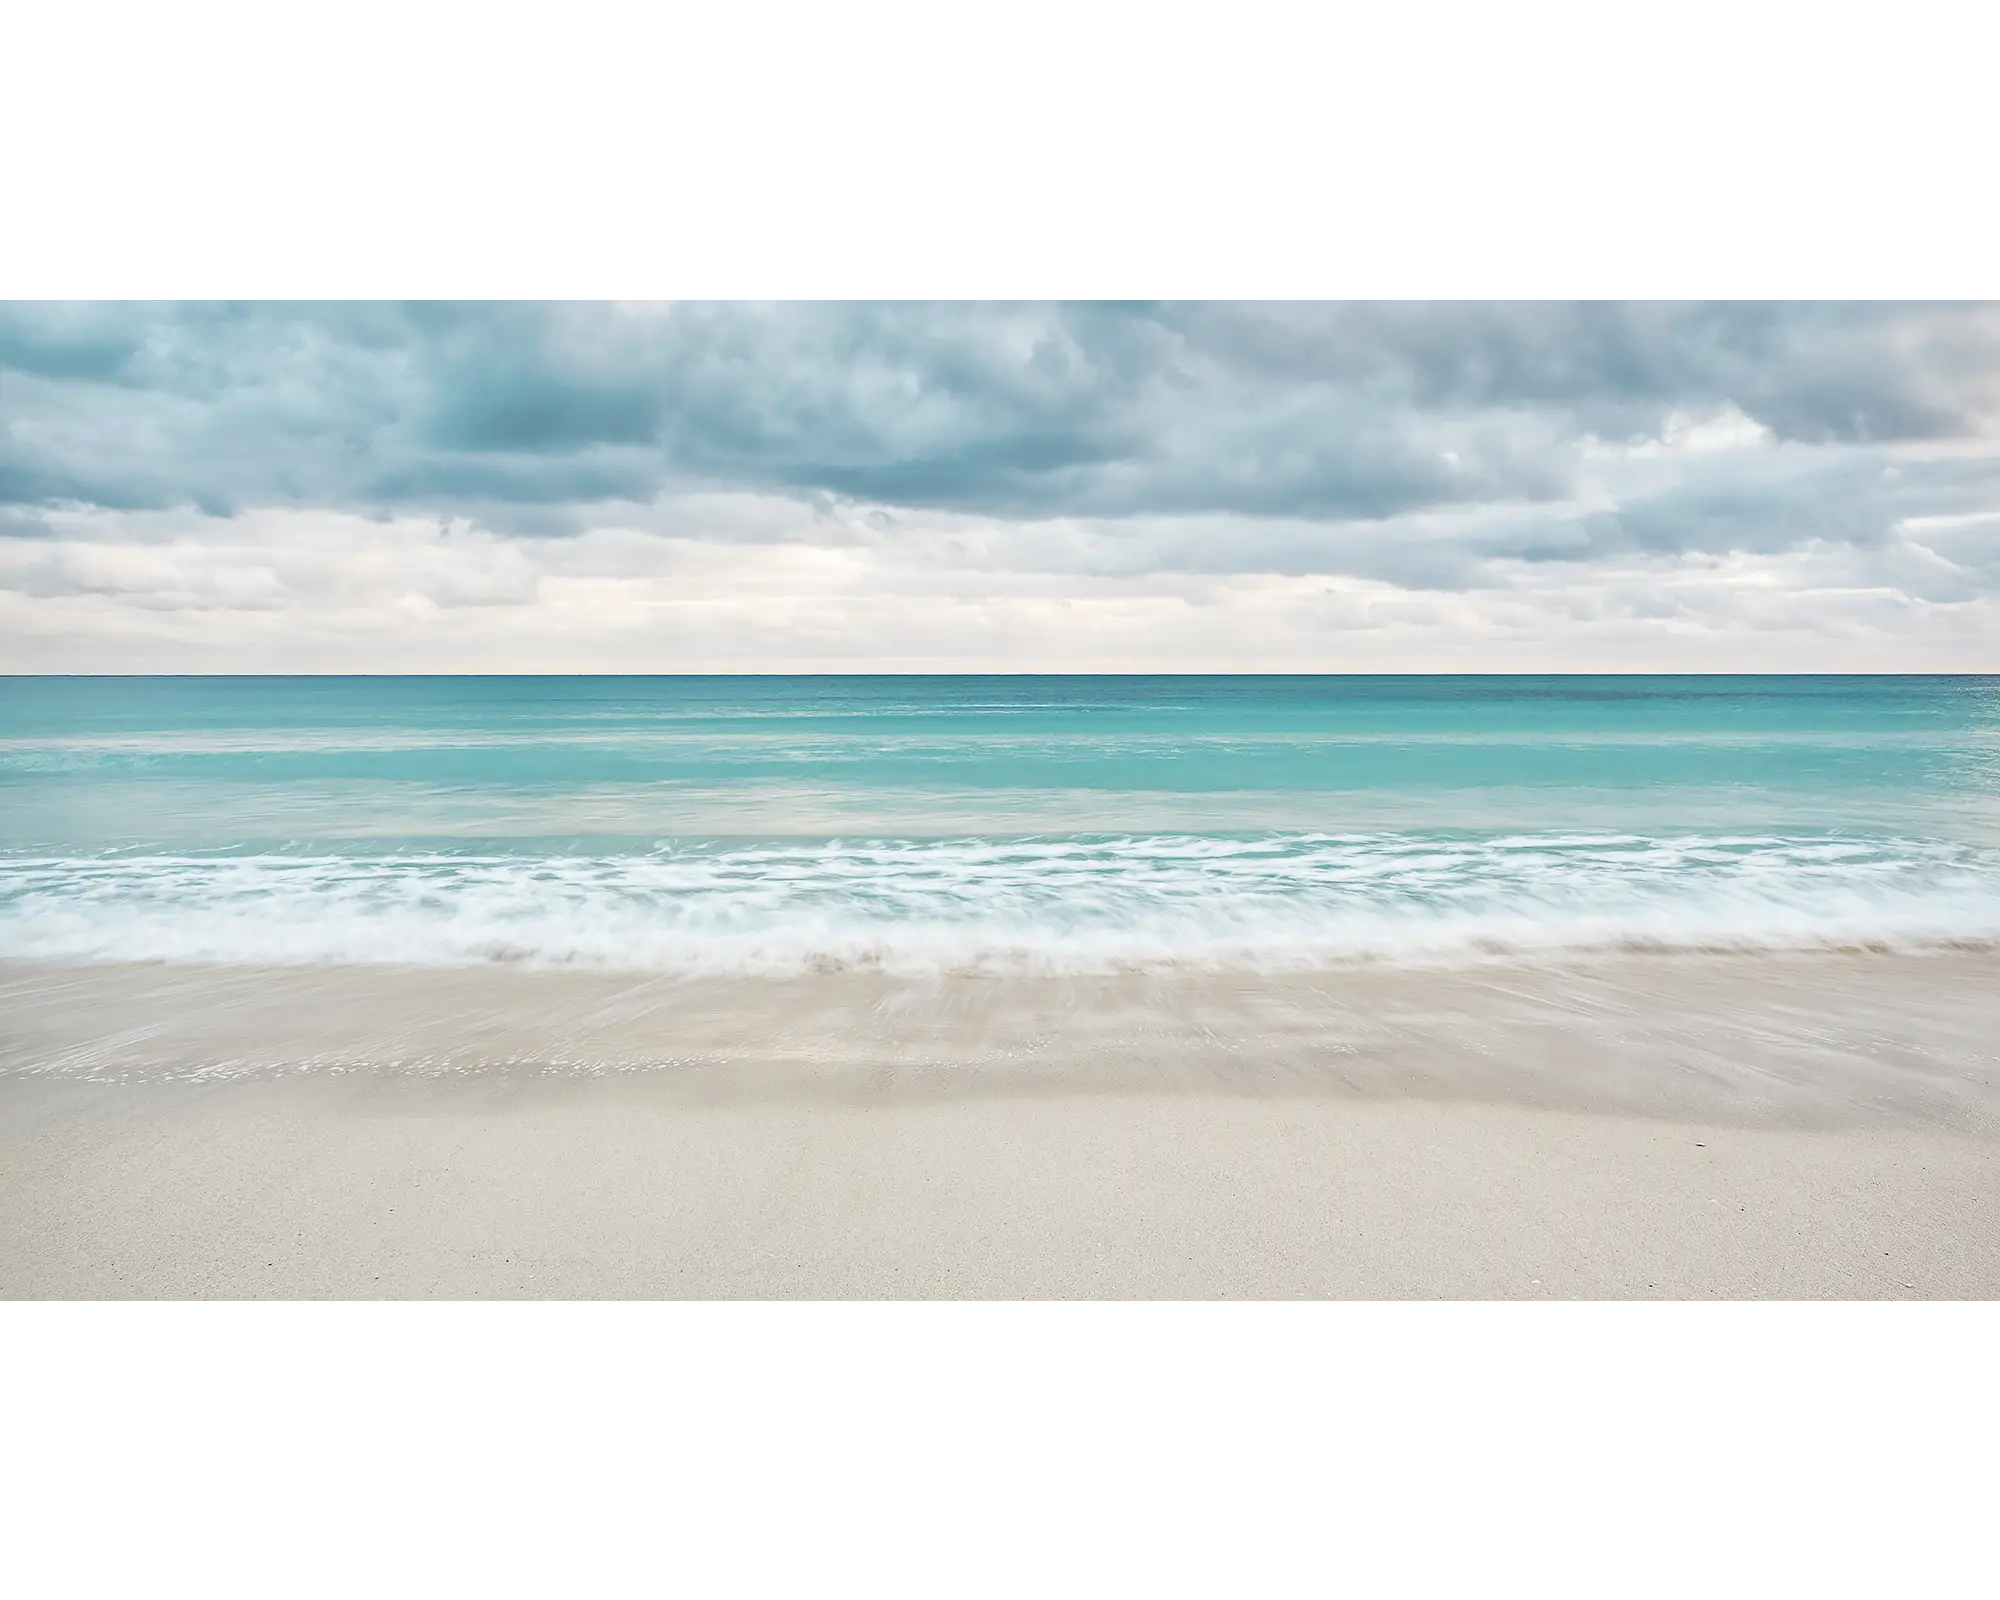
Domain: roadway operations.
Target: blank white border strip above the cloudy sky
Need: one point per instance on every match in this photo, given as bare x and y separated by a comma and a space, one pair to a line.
1077, 149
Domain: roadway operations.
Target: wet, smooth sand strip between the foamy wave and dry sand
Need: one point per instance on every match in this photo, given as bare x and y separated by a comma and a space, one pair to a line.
1853, 1039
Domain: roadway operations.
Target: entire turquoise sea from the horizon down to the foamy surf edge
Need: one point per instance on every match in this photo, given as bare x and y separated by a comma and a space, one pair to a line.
989, 823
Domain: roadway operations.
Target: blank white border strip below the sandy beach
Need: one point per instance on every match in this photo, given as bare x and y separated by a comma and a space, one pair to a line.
1001, 1451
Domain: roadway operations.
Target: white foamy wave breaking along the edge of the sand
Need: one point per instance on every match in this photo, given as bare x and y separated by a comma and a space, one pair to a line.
1027, 905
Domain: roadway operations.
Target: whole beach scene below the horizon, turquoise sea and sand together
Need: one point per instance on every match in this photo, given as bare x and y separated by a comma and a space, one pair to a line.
1001, 989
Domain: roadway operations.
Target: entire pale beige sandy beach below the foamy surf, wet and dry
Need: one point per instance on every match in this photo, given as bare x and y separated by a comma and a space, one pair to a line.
1637, 1129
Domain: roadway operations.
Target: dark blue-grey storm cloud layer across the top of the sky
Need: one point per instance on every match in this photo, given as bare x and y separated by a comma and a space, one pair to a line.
529, 415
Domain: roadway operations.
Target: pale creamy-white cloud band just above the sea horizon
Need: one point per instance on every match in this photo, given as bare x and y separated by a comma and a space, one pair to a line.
297, 591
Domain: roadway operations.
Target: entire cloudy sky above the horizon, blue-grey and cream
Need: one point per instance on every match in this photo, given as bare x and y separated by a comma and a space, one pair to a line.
811, 485
